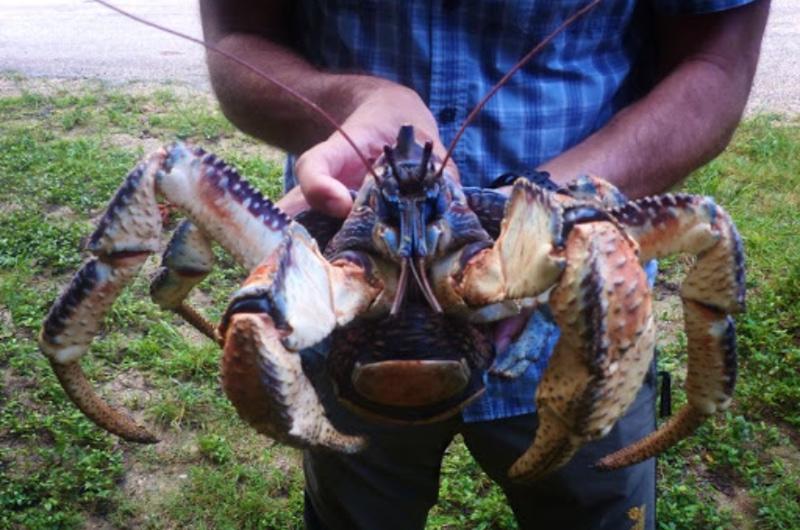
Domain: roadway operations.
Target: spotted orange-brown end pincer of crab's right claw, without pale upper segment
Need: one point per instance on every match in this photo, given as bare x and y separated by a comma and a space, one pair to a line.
599, 364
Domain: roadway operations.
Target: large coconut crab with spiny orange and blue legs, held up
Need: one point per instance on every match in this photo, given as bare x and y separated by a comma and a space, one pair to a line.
418, 257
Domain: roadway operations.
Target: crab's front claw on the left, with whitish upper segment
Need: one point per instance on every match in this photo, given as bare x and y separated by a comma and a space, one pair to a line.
291, 301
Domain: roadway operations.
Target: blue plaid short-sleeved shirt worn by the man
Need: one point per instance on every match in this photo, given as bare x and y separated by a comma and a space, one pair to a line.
451, 52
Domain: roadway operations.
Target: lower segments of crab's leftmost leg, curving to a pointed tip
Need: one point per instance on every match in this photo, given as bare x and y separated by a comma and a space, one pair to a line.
127, 234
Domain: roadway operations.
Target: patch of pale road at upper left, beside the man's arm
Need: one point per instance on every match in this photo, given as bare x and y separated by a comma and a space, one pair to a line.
79, 38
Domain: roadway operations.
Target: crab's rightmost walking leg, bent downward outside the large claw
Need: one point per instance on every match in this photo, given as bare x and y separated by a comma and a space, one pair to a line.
712, 291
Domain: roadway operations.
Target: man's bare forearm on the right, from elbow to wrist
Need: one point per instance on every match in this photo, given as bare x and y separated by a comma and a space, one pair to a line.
656, 142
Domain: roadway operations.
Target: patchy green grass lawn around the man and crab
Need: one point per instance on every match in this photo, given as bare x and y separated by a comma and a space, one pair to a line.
64, 149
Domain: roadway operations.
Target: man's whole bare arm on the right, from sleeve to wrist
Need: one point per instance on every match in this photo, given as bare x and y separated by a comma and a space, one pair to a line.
688, 118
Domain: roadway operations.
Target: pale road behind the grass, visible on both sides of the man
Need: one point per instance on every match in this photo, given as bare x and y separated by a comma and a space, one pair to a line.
78, 38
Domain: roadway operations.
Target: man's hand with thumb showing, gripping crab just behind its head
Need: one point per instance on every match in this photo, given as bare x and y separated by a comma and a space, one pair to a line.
326, 171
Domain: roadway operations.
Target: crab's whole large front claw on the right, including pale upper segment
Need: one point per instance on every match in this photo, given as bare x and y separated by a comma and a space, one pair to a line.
600, 301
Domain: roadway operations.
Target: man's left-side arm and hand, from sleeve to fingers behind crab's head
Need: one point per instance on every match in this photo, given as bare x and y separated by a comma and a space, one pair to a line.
370, 109
